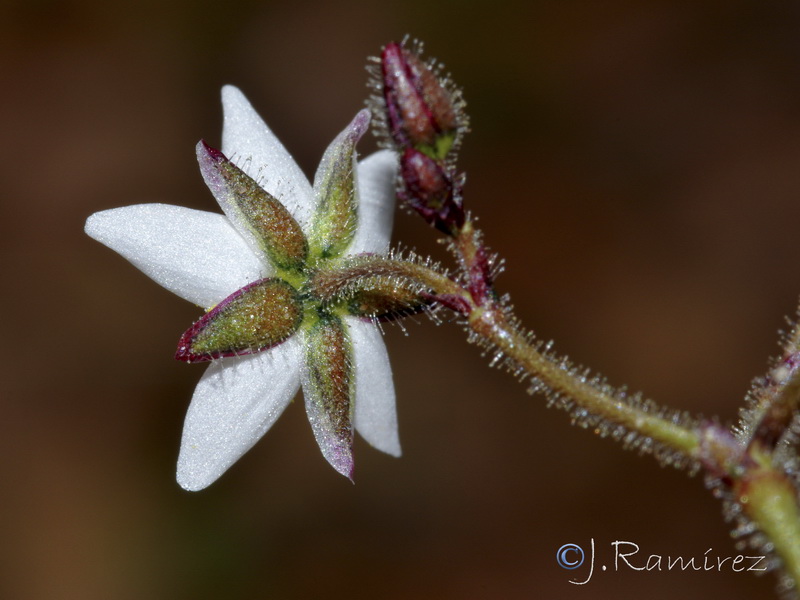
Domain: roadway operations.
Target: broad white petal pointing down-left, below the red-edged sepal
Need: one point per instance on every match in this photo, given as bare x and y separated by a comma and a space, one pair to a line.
236, 401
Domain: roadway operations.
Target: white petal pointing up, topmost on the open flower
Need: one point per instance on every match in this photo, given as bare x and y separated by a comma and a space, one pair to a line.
249, 143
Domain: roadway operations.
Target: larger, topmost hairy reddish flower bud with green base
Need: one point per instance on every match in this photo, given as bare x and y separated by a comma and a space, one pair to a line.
422, 111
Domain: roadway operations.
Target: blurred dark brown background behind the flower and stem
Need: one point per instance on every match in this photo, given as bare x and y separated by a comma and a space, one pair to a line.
635, 163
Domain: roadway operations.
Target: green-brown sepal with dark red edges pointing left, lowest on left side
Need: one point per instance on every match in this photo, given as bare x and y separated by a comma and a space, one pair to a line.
254, 318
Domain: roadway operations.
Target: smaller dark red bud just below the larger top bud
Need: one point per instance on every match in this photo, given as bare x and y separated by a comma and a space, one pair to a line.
430, 190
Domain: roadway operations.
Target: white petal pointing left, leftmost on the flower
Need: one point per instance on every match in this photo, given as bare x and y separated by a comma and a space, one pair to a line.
197, 255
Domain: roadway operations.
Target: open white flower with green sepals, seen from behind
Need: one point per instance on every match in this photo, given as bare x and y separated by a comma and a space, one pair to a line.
207, 257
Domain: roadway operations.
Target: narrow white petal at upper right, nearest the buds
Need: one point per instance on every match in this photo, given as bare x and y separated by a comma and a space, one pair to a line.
376, 185
